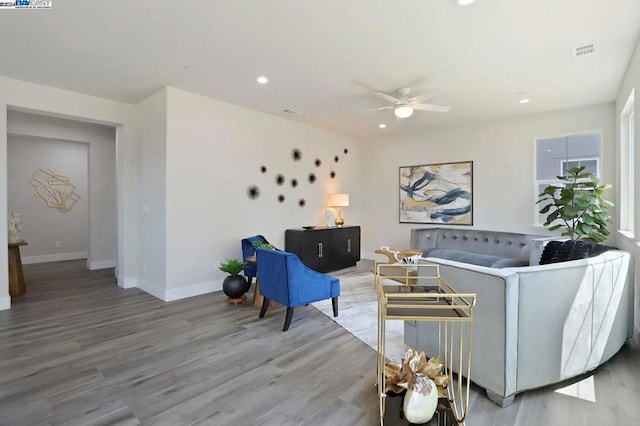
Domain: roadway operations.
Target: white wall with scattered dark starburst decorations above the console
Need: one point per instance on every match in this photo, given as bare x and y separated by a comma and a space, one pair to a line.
214, 153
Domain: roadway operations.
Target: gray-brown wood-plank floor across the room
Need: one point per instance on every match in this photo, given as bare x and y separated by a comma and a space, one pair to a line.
76, 349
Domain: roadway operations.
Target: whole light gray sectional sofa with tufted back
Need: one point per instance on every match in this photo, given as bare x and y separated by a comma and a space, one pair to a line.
533, 325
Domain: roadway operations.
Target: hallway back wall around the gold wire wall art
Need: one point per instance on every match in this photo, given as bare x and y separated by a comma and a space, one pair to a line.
43, 226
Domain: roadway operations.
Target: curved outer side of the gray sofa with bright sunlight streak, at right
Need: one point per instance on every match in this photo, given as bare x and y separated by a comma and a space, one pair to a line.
573, 316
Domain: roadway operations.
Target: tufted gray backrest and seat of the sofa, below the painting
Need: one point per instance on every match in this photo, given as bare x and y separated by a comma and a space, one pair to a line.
493, 249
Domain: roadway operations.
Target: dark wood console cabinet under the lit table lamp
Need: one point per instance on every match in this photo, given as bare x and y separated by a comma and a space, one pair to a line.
325, 249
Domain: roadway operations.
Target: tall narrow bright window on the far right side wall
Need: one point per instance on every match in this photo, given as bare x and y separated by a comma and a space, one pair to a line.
627, 154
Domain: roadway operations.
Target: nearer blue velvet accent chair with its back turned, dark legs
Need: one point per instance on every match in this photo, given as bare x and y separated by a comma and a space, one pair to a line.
285, 279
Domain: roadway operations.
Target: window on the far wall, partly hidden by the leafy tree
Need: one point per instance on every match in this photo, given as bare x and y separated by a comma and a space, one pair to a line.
555, 155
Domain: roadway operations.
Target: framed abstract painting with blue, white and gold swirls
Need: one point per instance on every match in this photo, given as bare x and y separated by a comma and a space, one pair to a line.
437, 193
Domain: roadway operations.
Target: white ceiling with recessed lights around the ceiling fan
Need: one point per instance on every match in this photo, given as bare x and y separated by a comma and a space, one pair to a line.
324, 58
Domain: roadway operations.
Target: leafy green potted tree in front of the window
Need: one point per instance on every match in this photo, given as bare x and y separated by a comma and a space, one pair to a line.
577, 207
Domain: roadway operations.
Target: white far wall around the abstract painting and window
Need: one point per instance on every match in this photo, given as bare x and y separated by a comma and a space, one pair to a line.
502, 152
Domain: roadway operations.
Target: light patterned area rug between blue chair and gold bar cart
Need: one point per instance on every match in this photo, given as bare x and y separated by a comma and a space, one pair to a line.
358, 313
